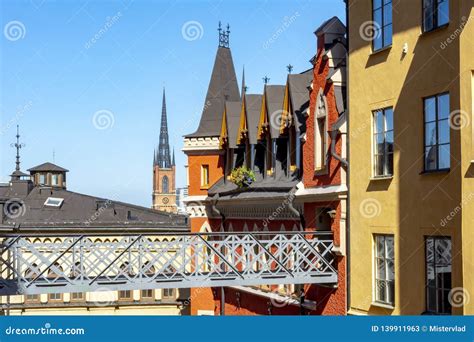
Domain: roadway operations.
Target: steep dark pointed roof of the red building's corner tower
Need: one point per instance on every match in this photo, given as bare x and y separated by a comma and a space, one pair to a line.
222, 87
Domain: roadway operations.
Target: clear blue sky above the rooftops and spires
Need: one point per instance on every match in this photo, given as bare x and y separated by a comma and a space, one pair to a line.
54, 77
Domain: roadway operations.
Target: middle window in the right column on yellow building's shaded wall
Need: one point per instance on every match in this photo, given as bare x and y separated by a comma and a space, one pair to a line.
437, 140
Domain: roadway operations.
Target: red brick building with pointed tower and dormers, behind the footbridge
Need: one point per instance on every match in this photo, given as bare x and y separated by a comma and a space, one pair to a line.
292, 138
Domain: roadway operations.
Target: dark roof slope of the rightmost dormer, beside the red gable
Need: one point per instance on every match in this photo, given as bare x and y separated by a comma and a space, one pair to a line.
299, 96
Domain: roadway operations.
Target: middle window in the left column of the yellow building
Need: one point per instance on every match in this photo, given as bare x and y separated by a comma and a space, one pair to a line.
383, 142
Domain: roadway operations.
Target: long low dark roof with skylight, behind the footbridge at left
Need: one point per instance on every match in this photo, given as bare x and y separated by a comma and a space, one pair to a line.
84, 213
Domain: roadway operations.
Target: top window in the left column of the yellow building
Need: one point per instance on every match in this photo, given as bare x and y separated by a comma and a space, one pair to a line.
382, 24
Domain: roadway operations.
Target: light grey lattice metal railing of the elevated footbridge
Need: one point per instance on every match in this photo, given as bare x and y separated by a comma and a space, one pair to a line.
33, 265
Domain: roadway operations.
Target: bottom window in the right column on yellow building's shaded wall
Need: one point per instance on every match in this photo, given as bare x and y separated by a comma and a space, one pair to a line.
438, 274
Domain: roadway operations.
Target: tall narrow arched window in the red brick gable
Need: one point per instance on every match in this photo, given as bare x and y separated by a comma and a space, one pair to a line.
320, 132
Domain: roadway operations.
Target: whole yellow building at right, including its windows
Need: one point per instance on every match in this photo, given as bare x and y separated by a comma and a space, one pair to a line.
411, 156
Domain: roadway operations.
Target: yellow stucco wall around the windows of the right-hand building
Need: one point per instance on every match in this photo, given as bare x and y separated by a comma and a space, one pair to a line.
410, 205
